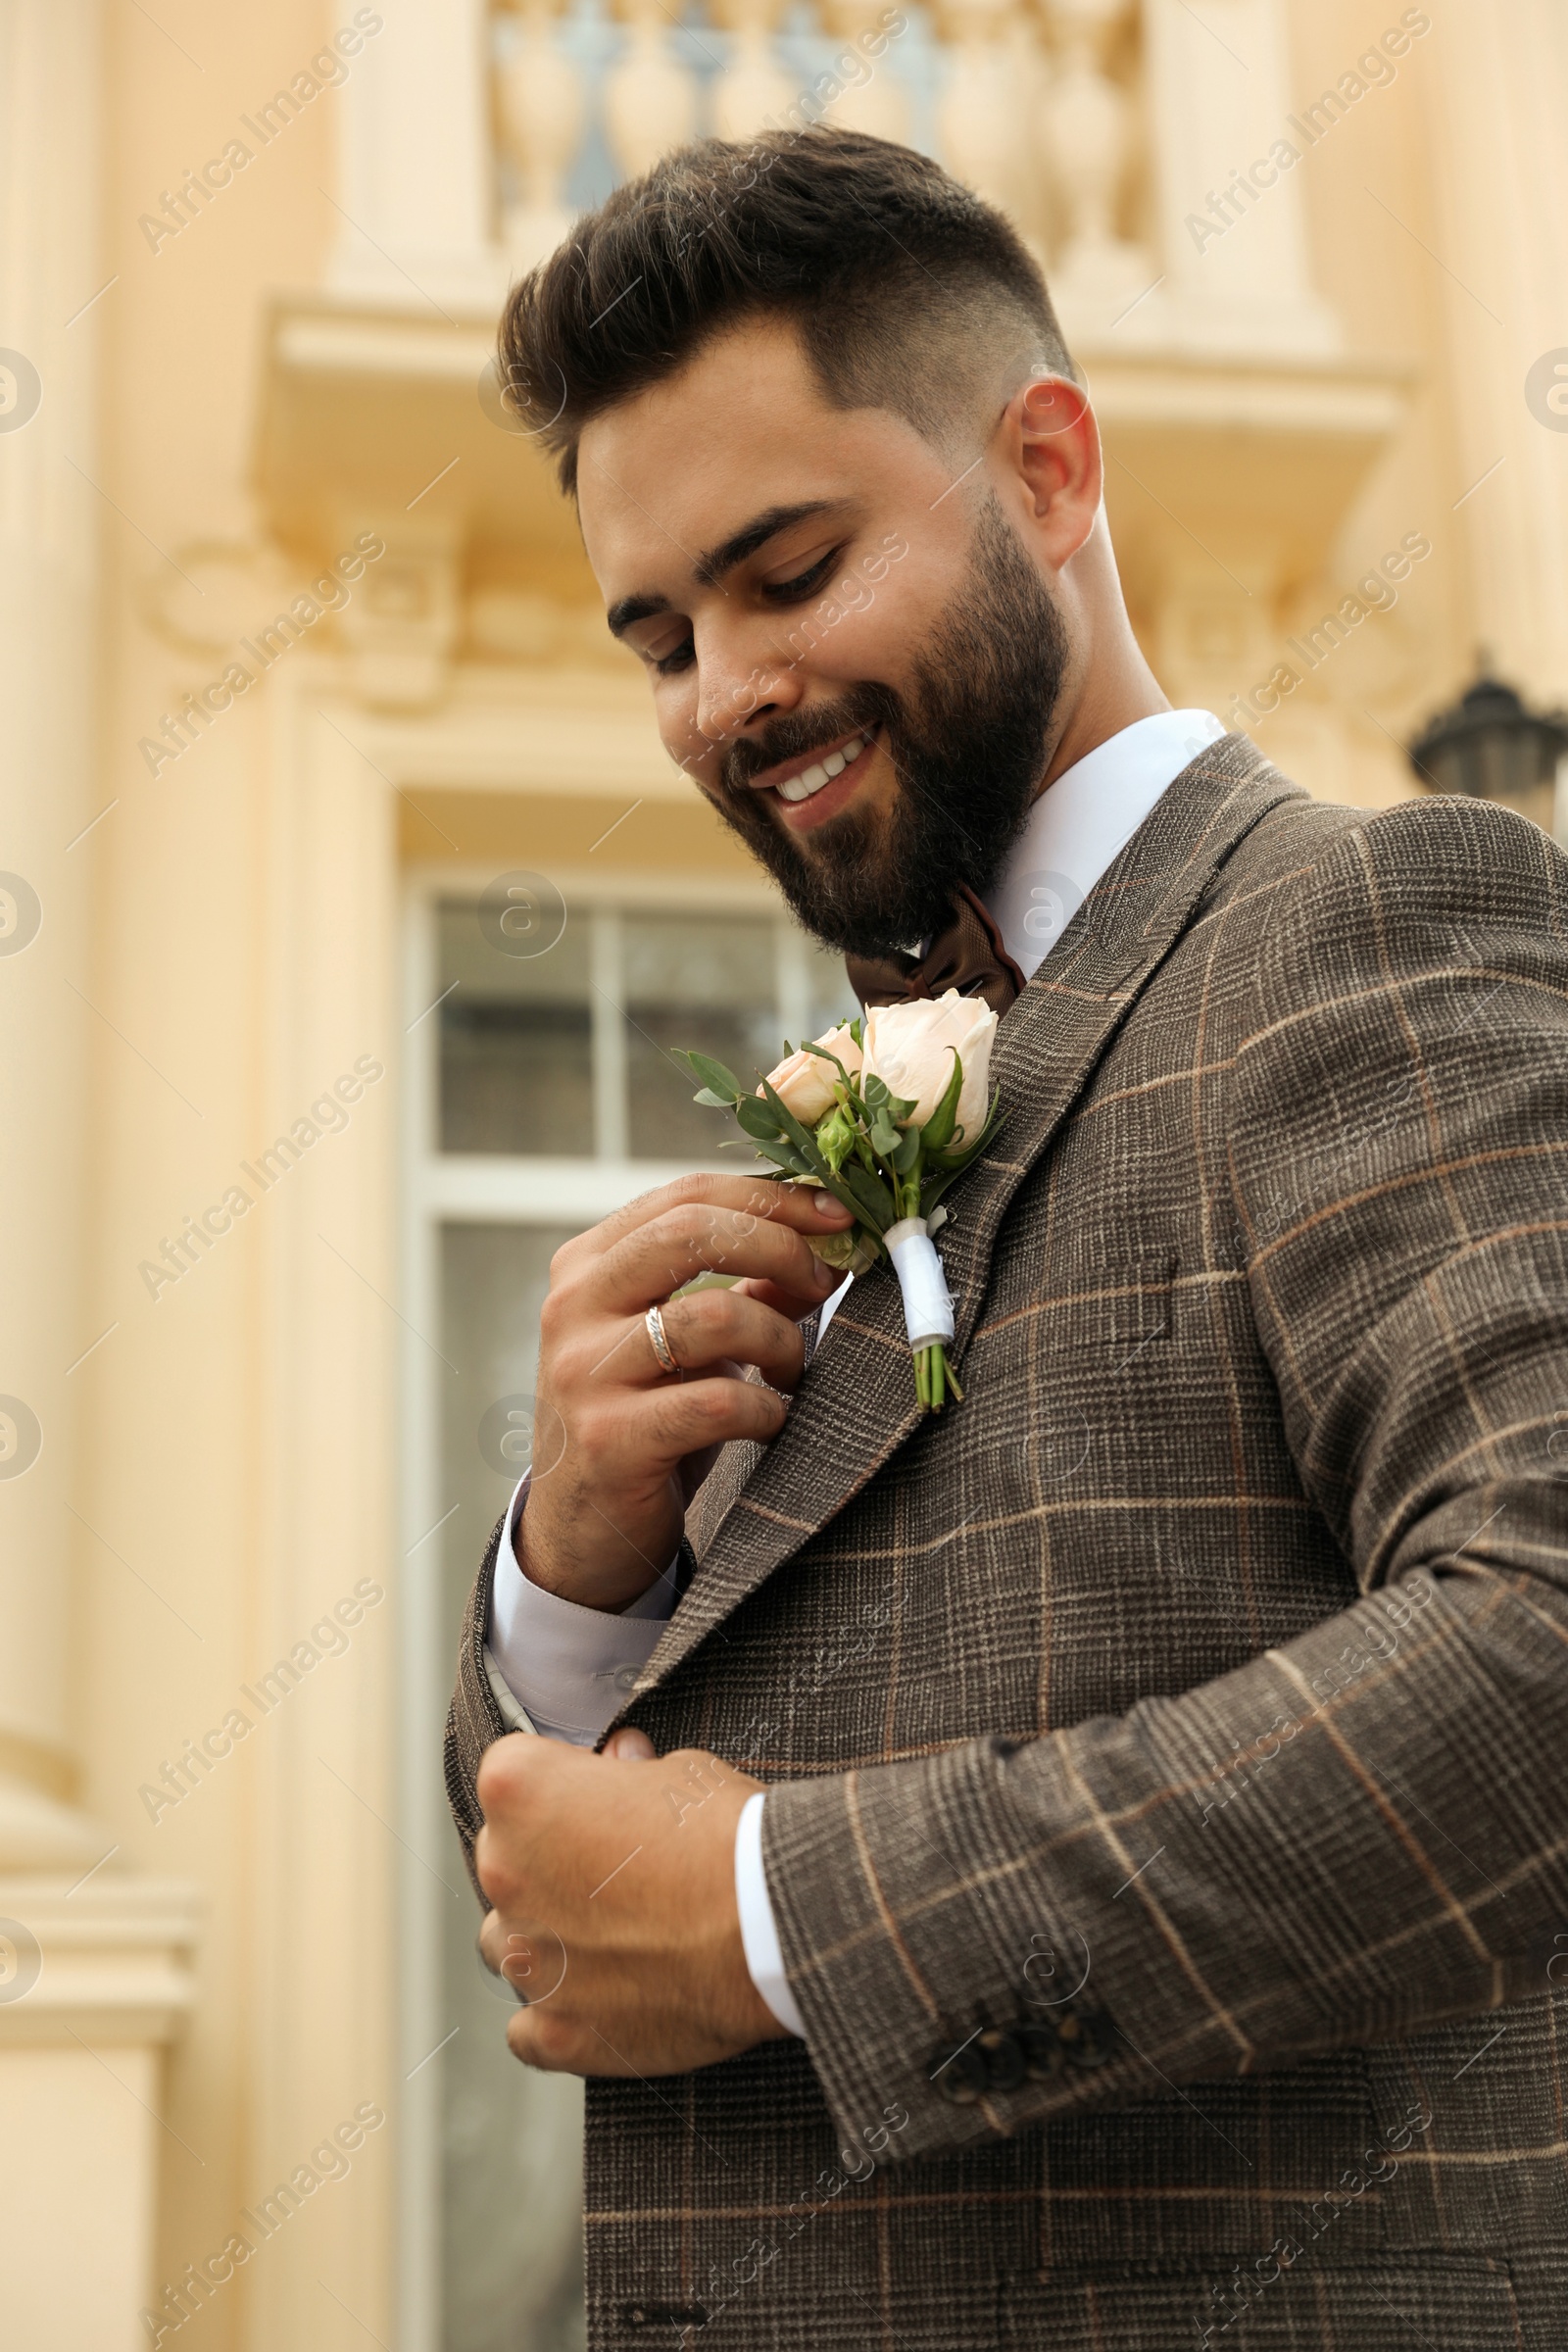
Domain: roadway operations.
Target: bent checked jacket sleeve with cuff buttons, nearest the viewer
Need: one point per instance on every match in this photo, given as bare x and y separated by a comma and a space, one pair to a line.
1400, 1180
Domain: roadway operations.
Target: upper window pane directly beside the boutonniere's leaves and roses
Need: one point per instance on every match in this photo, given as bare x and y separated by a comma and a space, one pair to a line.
702, 982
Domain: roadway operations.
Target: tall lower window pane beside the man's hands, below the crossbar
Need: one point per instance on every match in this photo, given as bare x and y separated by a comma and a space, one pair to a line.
514, 2141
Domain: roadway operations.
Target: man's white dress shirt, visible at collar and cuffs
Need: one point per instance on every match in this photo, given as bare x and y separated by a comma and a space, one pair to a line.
565, 1671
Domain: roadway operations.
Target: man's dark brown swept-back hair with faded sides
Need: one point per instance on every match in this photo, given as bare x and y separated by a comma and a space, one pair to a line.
909, 293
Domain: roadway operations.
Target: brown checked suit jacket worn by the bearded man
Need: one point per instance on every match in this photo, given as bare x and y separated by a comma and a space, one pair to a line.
1172, 1742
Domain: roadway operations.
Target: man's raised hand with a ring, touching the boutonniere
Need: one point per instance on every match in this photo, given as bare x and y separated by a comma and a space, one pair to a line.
619, 1445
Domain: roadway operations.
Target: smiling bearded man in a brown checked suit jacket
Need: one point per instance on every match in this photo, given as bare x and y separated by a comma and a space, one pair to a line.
1148, 1935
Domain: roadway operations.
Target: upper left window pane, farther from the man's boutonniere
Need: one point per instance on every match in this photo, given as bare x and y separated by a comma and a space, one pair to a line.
516, 1043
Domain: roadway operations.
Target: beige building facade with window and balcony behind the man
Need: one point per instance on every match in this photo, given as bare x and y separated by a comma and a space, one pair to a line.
349, 904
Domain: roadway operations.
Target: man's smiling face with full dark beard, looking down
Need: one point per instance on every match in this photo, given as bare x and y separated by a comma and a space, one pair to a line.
850, 648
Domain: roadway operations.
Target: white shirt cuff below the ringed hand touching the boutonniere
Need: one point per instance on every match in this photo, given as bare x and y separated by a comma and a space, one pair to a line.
568, 1669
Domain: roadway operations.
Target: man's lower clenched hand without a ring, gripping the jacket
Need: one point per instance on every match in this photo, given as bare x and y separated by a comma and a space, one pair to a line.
615, 1906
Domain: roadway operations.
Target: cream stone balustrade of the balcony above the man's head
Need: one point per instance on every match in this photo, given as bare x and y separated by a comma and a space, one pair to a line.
1031, 105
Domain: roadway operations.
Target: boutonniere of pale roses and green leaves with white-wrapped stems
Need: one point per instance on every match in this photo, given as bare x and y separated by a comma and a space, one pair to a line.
885, 1114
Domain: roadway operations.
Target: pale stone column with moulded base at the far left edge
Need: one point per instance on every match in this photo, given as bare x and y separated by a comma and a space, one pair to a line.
91, 1958
